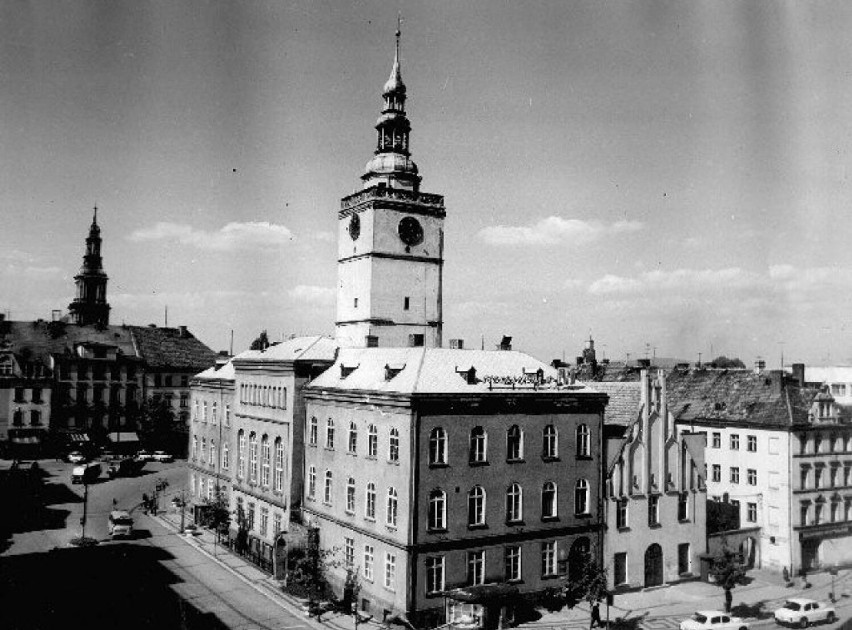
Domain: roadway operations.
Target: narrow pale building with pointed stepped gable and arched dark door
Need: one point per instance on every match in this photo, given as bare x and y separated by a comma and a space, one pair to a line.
655, 492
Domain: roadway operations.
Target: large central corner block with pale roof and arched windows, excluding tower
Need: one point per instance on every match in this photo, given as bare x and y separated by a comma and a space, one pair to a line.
434, 469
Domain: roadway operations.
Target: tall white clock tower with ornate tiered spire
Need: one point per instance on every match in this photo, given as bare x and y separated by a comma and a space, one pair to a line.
390, 242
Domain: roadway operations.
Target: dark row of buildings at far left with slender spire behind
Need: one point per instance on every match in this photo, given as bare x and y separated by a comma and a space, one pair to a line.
73, 378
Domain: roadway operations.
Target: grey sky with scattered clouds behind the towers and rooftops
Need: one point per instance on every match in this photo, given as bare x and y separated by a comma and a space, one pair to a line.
668, 177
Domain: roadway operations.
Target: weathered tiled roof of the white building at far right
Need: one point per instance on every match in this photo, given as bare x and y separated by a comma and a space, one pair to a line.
736, 396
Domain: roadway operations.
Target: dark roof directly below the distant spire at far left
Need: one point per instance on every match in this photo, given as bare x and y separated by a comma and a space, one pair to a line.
36, 341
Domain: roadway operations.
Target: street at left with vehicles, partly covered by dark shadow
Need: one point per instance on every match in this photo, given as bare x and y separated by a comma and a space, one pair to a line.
153, 580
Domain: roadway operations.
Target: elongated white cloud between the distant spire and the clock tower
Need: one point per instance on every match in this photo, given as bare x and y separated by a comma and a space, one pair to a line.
233, 236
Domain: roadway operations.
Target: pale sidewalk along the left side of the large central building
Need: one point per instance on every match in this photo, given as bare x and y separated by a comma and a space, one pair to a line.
261, 581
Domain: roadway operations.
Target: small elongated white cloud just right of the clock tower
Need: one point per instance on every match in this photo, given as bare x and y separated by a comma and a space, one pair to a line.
555, 230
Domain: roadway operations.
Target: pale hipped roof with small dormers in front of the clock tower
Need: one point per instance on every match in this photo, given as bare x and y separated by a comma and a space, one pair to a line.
431, 370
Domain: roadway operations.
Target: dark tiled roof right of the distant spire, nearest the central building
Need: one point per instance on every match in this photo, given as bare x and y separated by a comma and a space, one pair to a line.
171, 348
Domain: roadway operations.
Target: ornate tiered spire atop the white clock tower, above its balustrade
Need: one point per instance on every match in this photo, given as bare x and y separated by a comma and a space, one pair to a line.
392, 165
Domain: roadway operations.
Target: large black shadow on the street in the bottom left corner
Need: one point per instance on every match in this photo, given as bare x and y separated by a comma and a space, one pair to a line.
110, 586
